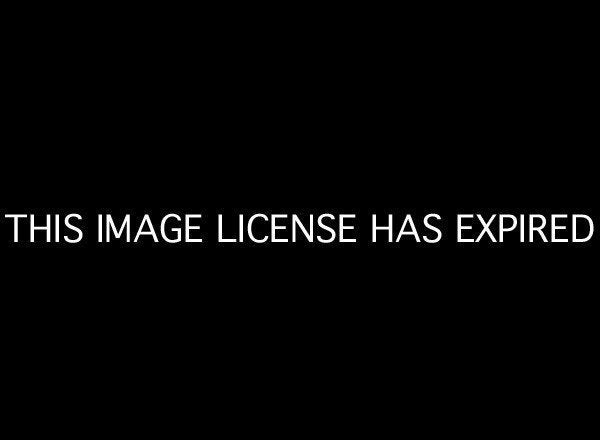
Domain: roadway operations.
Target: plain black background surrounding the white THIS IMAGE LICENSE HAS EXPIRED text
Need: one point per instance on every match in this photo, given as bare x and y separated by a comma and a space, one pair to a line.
369, 113
